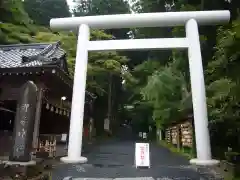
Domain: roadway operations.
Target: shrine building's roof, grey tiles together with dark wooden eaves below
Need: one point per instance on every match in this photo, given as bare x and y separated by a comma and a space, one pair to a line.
30, 59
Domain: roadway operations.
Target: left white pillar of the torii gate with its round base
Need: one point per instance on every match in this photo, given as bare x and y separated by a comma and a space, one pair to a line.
78, 99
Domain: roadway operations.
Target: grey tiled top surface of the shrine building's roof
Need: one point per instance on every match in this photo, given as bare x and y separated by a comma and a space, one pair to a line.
30, 55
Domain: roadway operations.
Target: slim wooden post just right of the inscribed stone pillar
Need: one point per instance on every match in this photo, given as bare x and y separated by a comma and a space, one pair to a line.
37, 117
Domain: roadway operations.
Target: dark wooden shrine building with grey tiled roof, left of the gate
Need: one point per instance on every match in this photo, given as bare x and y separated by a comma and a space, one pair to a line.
45, 65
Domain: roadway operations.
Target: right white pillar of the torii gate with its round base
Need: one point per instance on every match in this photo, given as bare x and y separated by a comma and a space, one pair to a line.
198, 96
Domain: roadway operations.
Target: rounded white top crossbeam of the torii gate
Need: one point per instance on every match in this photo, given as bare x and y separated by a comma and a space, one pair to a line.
164, 19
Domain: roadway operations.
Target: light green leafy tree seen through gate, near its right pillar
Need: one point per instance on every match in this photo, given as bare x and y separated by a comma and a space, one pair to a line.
165, 90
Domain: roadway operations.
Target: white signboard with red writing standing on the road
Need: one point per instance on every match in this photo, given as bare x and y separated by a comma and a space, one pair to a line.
142, 155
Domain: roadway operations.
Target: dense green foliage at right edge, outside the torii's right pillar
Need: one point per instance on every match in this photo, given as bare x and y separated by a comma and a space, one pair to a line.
222, 76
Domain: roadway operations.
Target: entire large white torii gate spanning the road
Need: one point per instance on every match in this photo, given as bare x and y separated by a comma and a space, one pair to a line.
189, 19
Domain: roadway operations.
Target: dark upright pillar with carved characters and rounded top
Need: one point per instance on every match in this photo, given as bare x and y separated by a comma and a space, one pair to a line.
24, 123
